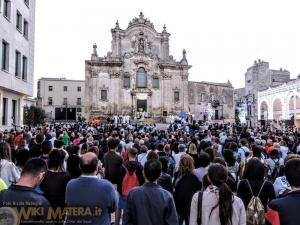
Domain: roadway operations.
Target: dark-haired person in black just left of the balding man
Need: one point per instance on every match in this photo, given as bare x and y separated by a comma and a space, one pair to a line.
55, 181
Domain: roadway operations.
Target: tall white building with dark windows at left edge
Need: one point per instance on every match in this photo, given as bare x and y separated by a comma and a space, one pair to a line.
17, 32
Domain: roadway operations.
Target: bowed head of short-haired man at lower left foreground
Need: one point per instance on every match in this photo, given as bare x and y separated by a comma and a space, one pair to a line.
33, 172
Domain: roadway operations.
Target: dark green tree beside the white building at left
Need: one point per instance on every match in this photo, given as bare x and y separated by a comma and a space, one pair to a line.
33, 116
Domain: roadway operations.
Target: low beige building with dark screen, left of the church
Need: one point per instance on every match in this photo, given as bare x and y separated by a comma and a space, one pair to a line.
61, 99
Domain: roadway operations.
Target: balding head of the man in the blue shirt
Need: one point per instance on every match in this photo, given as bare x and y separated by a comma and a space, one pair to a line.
89, 164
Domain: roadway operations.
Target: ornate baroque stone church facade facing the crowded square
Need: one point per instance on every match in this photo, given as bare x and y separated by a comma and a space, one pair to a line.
139, 75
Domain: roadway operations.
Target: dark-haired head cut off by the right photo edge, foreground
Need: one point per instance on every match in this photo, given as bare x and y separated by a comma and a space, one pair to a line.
292, 172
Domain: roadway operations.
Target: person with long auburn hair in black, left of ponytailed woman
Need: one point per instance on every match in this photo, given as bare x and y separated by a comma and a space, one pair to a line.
186, 184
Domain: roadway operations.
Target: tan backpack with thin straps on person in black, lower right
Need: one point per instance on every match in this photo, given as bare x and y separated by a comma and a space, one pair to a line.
255, 209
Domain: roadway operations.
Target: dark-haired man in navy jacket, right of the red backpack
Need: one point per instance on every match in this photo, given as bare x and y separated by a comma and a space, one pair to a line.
150, 204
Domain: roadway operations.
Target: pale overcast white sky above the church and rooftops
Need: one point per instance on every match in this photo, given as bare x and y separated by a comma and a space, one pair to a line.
222, 38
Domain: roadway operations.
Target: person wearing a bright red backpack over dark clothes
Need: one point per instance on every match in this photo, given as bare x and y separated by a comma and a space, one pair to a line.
130, 176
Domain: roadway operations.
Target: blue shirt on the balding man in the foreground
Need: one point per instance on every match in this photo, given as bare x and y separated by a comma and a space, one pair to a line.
97, 197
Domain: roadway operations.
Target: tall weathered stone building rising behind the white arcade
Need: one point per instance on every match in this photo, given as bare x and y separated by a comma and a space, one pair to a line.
257, 78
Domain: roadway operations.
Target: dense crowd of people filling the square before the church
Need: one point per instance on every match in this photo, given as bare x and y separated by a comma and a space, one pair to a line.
134, 174
